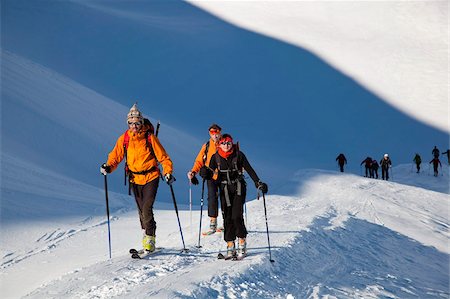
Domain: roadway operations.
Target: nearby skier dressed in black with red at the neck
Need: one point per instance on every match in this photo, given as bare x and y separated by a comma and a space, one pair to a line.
229, 164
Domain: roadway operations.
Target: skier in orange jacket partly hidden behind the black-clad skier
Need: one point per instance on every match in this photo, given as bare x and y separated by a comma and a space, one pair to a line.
201, 162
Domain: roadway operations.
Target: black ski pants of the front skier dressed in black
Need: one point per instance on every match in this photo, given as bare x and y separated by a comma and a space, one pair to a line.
233, 218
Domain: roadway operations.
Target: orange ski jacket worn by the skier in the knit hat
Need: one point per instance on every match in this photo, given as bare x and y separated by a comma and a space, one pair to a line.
140, 157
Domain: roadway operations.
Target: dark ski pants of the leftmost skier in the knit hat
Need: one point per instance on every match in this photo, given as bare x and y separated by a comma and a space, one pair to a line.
145, 196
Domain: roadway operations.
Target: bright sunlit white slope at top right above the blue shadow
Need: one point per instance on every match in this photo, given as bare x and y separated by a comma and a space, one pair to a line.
368, 40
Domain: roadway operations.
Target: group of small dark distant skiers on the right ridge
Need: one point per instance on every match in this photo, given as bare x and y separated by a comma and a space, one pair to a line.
371, 165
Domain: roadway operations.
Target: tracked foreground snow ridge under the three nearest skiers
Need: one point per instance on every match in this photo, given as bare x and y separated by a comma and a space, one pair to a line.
341, 236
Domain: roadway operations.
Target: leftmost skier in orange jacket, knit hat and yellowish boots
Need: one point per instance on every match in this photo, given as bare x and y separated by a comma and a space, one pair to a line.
142, 152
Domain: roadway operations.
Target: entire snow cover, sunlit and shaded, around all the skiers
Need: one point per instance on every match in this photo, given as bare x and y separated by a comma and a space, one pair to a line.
304, 85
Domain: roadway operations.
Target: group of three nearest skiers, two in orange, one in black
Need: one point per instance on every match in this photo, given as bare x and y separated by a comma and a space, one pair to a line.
220, 163
